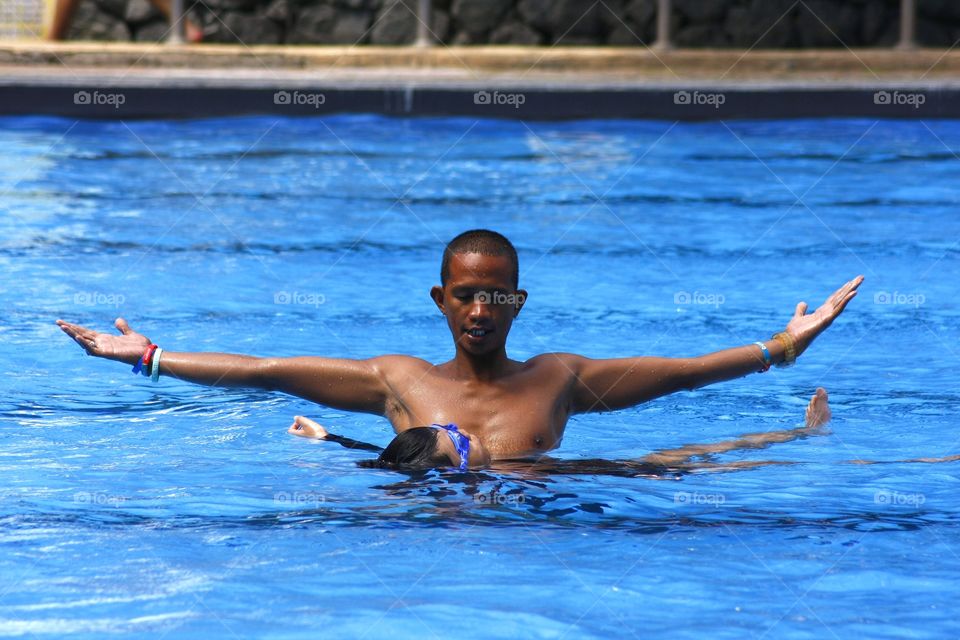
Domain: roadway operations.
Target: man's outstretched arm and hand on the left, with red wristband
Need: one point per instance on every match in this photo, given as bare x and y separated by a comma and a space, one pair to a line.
351, 385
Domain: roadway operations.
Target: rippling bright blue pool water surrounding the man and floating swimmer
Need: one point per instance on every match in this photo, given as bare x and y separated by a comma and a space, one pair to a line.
170, 510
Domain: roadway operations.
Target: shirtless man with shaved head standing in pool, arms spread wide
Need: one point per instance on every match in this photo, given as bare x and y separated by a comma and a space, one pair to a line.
515, 409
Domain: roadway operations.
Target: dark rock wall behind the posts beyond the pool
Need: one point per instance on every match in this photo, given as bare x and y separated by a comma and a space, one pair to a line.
695, 23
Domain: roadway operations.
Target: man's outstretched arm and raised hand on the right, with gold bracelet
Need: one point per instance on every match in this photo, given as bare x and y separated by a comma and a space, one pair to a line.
609, 384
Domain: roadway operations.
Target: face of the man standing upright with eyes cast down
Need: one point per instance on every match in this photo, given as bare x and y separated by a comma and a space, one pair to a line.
479, 301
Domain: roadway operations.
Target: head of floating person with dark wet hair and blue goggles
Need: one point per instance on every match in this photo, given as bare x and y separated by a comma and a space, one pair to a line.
434, 446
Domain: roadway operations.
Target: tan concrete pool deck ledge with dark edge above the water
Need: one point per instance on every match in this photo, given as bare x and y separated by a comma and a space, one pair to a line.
127, 80
